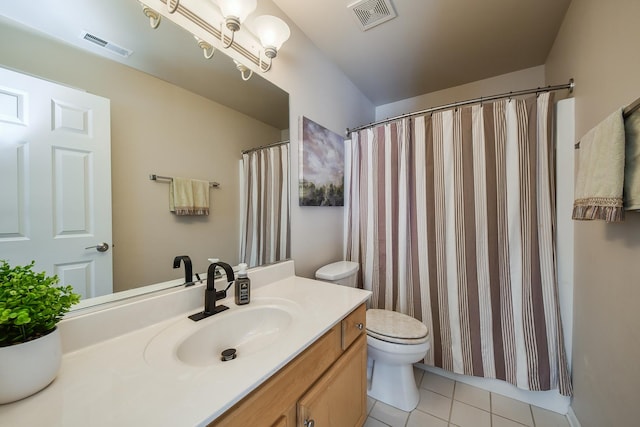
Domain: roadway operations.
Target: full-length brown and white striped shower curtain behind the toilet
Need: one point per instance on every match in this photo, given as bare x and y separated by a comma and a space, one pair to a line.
451, 217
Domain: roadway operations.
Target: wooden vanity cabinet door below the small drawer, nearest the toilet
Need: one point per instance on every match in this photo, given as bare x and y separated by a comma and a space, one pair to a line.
339, 397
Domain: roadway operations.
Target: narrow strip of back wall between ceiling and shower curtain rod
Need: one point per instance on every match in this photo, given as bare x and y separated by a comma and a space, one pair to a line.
523, 79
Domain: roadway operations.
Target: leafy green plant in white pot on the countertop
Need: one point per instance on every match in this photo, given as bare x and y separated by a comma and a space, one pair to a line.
31, 304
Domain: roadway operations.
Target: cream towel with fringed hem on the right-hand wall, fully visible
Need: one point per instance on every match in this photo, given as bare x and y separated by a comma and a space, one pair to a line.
600, 176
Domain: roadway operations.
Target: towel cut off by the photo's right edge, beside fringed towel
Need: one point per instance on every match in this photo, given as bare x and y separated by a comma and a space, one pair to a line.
632, 162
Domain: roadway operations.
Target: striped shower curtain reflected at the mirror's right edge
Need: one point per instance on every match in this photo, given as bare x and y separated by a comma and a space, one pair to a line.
265, 206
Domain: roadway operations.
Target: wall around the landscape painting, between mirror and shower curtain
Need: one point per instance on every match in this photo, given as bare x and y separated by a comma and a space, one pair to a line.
320, 91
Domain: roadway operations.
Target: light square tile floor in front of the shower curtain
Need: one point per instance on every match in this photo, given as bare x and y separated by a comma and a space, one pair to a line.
448, 403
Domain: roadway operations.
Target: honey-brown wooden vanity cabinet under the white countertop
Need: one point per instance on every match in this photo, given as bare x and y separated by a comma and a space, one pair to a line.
326, 383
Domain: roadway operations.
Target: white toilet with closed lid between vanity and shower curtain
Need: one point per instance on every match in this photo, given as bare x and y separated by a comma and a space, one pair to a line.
395, 342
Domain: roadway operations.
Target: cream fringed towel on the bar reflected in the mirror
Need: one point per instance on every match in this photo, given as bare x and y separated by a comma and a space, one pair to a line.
189, 196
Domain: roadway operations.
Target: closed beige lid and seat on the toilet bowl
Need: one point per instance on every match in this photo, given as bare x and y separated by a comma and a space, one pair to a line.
395, 327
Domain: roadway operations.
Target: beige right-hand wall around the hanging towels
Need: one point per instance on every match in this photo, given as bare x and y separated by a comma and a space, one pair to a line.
598, 46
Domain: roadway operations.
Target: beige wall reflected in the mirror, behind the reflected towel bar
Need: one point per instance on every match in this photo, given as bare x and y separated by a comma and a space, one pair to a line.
155, 128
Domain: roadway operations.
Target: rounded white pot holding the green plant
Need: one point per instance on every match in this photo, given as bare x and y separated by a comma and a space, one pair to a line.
29, 367
